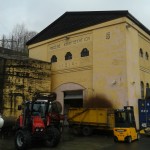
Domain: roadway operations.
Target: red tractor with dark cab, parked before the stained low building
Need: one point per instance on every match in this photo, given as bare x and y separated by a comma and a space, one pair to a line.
40, 120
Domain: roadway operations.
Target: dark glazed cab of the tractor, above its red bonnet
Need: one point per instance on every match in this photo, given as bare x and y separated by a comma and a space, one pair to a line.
42, 105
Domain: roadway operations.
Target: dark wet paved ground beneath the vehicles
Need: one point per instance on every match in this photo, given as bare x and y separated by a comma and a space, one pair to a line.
94, 142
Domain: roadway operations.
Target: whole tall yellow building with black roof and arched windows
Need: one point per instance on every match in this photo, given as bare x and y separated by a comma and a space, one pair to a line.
96, 53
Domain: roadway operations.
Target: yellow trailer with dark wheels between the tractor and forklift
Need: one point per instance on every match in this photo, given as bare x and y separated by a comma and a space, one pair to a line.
85, 120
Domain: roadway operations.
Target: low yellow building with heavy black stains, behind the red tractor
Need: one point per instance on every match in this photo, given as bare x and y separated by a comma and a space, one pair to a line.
20, 78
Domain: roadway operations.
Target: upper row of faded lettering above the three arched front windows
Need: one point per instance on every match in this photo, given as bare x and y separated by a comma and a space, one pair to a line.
69, 43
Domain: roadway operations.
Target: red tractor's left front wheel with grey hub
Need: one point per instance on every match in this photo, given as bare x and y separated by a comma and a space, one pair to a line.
22, 139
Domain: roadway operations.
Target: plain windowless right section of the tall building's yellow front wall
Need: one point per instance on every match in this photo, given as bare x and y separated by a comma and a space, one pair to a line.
109, 64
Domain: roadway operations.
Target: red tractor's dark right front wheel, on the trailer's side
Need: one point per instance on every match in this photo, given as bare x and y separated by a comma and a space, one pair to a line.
53, 137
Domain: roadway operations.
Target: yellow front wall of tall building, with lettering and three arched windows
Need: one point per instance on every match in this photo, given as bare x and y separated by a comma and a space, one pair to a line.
107, 55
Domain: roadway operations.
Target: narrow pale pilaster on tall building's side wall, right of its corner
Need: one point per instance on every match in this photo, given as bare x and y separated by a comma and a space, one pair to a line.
133, 72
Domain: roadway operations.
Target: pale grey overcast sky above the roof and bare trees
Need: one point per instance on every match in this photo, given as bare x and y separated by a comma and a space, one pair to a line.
38, 14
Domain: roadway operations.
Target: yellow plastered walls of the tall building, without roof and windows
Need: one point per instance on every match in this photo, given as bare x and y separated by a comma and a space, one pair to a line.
113, 68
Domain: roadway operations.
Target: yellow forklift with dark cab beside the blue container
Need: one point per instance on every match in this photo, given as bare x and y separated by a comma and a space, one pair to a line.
125, 126
